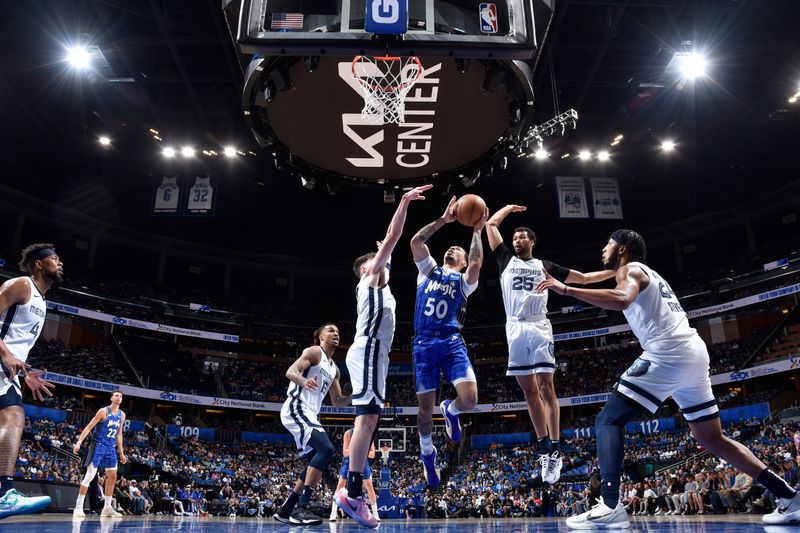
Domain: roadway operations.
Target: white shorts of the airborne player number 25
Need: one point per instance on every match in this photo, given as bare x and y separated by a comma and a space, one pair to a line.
530, 347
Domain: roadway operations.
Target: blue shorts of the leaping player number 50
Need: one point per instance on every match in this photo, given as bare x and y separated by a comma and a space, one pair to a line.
434, 357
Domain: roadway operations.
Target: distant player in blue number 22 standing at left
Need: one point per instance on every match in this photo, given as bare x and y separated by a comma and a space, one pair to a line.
107, 442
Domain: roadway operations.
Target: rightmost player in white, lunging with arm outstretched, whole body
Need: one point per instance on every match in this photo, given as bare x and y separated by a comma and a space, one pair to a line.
674, 363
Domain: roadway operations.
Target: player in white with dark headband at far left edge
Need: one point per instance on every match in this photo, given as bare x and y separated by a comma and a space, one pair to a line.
22, 311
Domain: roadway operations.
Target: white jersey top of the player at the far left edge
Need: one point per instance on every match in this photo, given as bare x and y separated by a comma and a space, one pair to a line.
22, 323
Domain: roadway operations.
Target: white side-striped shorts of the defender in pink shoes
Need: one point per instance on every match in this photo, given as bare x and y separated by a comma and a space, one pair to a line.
368, 364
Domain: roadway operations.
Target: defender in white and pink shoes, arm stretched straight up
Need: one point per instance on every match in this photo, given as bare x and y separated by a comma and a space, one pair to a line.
368, 356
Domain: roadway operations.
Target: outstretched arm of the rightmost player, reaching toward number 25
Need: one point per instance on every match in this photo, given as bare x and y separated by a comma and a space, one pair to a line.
629, 281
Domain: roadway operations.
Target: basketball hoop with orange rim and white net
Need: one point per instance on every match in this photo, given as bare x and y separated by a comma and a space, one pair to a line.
385, 82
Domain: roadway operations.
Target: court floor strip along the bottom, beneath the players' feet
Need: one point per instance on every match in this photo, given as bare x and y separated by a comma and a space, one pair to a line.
59, 523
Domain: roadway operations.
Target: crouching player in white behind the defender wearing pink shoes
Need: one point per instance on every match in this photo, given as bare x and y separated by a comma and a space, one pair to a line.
313, 375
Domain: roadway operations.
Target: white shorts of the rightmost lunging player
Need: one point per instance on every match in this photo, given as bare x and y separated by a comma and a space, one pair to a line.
682, 374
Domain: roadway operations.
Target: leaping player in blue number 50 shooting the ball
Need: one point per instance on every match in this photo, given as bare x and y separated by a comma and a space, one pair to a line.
438, 348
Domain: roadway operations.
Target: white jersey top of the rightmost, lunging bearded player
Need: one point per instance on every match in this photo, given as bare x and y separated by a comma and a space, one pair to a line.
656, 317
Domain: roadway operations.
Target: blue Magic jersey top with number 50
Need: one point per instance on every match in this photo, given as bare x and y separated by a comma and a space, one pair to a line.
441, 300
